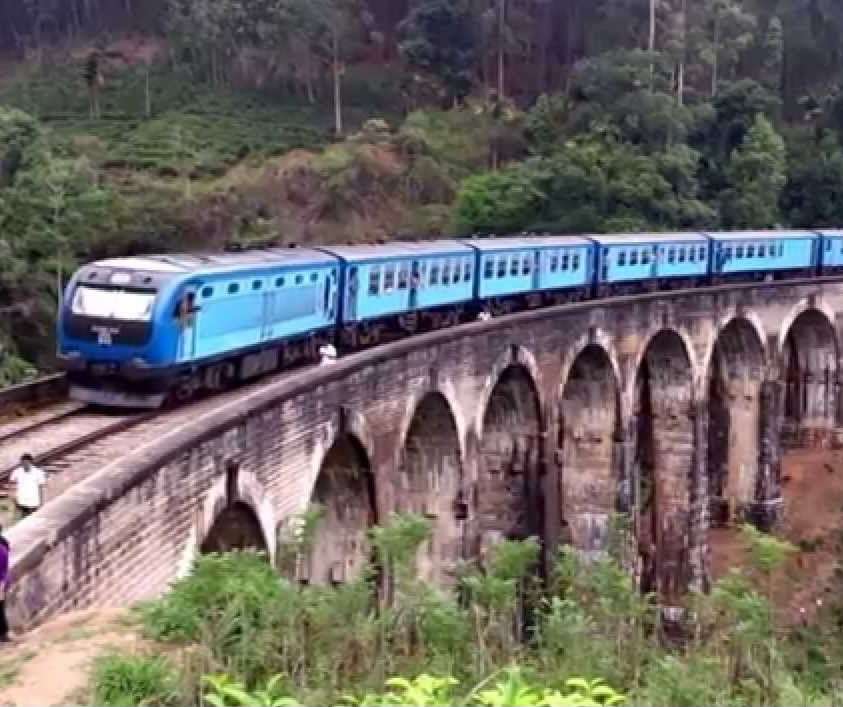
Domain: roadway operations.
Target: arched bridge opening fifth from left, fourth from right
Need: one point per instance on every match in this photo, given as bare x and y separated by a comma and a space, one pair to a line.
588, 442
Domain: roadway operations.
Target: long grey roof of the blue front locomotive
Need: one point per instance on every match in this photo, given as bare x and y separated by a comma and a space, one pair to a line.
184, 263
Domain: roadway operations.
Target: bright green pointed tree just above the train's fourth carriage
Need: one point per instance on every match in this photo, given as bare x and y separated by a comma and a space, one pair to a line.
756, 176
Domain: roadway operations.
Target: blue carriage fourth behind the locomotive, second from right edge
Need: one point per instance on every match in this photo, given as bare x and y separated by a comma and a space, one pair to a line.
759, 255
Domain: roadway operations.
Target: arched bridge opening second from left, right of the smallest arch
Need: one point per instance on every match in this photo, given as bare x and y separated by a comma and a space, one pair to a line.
345, 495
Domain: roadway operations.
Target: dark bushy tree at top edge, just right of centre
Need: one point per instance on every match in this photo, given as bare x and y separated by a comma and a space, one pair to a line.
438, 38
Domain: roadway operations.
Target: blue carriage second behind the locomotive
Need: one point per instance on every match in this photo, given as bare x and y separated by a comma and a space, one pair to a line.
530, 271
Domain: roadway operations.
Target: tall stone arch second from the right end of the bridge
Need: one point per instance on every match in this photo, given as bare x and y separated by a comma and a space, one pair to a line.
735, 375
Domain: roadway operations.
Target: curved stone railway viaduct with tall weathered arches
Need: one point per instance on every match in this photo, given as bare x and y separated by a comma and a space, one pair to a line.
672, 408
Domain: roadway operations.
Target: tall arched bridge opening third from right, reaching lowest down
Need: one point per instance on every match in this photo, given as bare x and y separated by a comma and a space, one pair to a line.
663, 465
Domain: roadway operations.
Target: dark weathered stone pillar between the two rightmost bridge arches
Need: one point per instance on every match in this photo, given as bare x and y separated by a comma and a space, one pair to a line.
766, 510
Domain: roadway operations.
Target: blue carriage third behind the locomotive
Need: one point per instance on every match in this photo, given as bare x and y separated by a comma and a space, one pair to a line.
639, 262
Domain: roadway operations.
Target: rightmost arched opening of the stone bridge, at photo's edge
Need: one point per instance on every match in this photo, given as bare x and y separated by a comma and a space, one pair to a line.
809, 361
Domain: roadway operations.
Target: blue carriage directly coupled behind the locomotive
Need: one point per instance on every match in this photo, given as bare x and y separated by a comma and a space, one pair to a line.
402, 287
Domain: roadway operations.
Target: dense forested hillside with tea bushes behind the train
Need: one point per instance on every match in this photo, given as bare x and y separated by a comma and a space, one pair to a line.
130, 126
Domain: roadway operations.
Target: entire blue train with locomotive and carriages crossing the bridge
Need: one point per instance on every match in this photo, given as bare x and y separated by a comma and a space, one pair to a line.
144, 331
